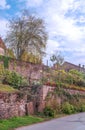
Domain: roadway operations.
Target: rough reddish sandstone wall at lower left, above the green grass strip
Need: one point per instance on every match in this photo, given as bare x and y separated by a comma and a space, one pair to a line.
13, 105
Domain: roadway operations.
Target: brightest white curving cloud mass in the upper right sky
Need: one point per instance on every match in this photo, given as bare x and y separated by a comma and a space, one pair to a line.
59, 23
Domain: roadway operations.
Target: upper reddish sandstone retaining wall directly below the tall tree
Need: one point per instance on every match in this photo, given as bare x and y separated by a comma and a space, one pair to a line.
27, 69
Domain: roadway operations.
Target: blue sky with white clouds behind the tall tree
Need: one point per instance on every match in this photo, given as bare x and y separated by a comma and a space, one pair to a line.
65, 24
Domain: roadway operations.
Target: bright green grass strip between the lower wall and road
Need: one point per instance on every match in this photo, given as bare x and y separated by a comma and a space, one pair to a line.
10, 124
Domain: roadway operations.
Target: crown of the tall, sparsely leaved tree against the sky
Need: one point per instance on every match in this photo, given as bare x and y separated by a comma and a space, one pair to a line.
27, 33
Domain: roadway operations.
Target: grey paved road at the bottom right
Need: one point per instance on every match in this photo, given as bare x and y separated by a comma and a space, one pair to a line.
73, 122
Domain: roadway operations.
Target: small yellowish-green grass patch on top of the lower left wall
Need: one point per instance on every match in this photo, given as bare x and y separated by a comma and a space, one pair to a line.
7, 88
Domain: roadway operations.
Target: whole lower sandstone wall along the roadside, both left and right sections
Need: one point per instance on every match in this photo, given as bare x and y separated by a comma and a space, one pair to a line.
16, 104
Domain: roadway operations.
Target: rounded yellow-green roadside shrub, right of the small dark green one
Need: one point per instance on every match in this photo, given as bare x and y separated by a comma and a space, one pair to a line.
67, 108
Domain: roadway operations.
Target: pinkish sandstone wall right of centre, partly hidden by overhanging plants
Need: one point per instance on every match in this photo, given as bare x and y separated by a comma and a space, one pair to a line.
43, 92
